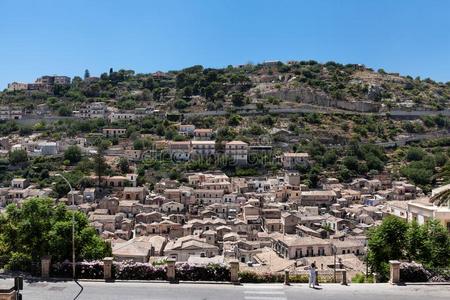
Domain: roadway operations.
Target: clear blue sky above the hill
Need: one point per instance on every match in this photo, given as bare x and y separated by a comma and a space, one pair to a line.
66, 37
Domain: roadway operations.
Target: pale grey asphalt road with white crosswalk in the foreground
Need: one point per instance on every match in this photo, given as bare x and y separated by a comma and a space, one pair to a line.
184, 291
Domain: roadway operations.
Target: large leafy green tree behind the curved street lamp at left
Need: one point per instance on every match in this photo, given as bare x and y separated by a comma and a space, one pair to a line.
39, 228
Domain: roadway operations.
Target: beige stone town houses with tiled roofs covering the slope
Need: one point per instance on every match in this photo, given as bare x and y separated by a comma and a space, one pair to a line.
269, 222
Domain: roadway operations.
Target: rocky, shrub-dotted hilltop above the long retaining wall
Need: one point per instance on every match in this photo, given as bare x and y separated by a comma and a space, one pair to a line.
350, 87
